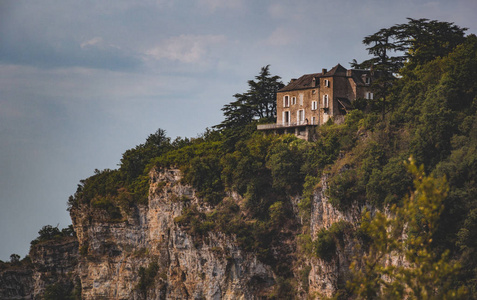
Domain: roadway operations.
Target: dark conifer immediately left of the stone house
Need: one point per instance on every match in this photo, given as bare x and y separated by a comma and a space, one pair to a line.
259, 102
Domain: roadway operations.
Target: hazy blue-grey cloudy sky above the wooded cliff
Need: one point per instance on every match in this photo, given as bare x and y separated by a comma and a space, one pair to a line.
83, 81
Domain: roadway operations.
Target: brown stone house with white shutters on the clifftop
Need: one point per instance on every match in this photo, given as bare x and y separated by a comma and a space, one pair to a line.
313, 99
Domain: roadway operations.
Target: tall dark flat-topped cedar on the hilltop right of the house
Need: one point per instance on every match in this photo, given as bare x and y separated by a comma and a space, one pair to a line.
417, 42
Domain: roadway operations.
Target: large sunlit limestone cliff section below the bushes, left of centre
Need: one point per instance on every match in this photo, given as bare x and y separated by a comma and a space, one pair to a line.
113, 254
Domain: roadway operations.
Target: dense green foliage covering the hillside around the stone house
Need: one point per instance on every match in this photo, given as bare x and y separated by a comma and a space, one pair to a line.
431, 116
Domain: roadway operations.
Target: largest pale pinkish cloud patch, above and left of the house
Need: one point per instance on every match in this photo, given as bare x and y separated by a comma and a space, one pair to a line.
186, 48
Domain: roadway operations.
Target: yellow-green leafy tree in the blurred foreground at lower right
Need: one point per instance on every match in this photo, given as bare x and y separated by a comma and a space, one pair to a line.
407, 233
